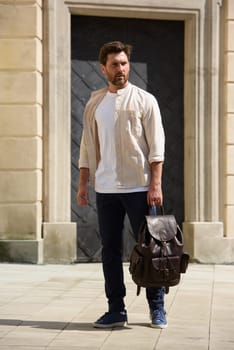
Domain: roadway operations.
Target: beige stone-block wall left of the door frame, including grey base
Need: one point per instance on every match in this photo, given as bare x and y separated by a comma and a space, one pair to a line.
20, 130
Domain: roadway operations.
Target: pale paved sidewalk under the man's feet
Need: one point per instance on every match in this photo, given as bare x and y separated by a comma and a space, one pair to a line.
53, 307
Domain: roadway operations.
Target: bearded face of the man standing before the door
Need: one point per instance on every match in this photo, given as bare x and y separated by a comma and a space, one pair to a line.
117, 69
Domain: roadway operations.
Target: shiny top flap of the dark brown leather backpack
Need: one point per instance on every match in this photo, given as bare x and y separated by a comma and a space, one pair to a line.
162, 227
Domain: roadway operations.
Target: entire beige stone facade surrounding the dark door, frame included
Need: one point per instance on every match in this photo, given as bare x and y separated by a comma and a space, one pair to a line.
35, 133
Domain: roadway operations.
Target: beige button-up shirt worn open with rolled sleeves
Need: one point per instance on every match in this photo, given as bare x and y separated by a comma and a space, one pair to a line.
139, 136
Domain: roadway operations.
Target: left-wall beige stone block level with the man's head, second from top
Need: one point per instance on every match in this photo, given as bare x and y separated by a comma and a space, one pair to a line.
21, 54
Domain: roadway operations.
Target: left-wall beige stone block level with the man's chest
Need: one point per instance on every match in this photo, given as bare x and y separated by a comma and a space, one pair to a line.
20, 120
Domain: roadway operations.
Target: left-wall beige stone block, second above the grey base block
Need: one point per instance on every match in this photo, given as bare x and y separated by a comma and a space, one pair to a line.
20, 186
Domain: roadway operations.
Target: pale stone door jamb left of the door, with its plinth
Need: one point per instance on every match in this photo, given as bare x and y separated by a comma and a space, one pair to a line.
58, 231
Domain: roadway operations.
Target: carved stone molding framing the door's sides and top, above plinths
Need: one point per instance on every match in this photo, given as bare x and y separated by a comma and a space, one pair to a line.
201, 99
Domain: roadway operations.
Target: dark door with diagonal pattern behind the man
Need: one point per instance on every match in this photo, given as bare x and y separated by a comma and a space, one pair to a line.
157, 65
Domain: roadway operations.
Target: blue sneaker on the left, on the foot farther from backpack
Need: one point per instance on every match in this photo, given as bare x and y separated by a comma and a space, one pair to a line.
111, 320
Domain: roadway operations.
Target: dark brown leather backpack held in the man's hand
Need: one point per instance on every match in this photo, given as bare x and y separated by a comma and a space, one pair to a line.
157, 260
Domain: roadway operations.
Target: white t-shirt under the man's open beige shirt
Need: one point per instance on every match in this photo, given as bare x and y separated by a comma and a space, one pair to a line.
105, 176
